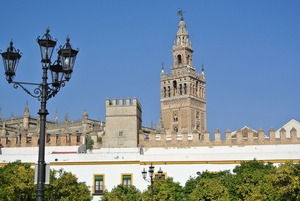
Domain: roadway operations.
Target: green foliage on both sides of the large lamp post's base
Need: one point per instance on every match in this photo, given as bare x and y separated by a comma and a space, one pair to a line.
17, 184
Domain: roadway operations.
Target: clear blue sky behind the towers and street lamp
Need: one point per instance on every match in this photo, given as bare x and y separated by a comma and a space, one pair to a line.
250, 49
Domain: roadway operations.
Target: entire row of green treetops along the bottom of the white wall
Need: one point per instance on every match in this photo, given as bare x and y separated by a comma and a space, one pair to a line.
252, 180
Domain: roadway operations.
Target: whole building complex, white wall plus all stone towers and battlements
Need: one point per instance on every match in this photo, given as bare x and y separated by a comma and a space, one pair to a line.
180, 145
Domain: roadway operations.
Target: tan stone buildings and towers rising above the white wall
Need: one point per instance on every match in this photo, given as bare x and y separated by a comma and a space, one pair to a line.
182, 122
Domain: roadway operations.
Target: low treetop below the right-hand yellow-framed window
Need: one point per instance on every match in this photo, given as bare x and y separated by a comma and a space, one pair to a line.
122, 193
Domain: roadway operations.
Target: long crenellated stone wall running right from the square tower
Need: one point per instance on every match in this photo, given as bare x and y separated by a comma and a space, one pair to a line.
240, 137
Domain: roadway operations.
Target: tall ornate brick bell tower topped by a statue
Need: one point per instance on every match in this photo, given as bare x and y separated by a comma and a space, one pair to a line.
183, 101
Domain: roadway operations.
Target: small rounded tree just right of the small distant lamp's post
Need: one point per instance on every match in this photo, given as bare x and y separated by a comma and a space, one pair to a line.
164, 189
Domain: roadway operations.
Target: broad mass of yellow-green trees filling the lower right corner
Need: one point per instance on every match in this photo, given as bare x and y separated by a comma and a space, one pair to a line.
253, 180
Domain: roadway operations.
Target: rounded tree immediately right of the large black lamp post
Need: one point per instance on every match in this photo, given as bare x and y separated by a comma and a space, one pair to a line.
64, 186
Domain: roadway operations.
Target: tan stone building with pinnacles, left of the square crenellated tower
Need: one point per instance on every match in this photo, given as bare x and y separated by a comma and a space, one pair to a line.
23, 131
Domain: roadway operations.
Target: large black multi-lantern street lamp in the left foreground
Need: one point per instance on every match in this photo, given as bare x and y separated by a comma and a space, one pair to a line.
61, 71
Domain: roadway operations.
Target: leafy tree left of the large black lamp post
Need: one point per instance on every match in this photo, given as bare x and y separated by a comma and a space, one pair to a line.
16, 182
